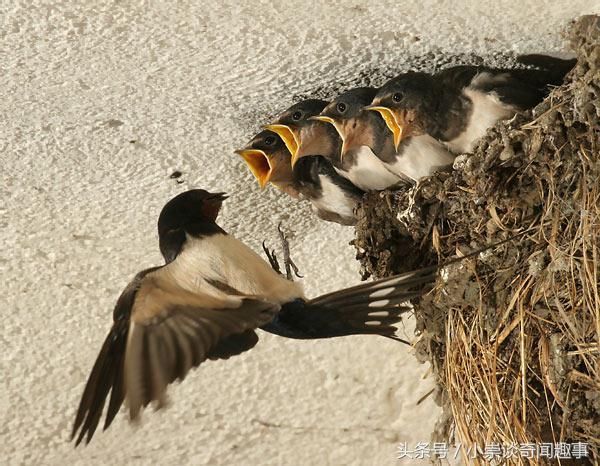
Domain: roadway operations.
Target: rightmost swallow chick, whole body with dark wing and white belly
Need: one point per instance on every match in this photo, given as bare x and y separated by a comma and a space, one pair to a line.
458, 105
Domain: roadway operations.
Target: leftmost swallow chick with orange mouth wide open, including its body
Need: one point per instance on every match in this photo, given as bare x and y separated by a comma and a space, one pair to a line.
332, 196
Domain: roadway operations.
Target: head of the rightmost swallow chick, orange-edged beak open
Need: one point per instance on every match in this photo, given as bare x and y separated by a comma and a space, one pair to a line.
403, 103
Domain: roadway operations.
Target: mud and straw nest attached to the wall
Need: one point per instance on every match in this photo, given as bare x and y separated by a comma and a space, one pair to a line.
513, 335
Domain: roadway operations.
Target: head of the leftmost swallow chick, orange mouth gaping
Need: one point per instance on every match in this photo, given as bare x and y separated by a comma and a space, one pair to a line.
268, 159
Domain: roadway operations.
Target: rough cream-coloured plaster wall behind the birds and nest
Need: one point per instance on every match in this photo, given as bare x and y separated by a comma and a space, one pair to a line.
100, 104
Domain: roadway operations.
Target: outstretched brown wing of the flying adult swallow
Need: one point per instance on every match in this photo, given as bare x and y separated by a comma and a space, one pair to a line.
160, 332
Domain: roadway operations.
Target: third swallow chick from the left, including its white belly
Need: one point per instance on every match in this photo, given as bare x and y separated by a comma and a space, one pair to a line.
368, 146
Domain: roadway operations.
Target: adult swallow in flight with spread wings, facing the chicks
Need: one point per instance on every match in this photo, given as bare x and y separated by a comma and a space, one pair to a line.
206, 302
